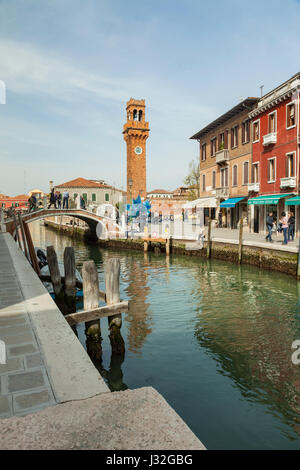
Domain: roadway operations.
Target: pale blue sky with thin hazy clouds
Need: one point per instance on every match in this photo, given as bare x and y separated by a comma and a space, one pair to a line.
70, 66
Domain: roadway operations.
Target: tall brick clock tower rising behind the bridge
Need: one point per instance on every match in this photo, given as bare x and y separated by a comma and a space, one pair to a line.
136, 132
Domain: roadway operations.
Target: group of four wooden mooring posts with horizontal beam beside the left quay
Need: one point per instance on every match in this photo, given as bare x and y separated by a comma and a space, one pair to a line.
65, 294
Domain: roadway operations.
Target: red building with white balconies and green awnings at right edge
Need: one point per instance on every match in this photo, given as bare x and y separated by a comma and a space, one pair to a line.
275, 153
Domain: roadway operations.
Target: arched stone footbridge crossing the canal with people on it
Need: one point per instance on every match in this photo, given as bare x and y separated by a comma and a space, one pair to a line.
106, 227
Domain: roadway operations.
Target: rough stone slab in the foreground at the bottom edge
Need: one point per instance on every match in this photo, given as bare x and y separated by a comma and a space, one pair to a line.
135, 419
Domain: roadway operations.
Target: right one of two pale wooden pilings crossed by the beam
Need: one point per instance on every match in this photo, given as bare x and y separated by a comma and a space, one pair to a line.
112, 284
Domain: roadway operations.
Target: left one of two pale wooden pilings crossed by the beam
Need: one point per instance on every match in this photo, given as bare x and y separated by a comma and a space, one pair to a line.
91, 301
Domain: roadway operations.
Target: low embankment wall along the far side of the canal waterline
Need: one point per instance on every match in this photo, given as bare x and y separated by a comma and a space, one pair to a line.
281, 259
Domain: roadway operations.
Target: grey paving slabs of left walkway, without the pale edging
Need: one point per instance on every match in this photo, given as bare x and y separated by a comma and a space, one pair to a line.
24, 383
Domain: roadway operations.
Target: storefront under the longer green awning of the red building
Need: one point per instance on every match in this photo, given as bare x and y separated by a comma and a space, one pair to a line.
261, 206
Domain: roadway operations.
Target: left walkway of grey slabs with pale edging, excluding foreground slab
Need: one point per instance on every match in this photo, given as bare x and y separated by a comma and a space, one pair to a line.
45, 362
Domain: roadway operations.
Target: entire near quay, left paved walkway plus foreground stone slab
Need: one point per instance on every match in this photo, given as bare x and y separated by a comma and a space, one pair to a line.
51, 394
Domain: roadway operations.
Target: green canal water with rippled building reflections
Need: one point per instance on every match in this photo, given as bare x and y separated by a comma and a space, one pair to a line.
213, 338
